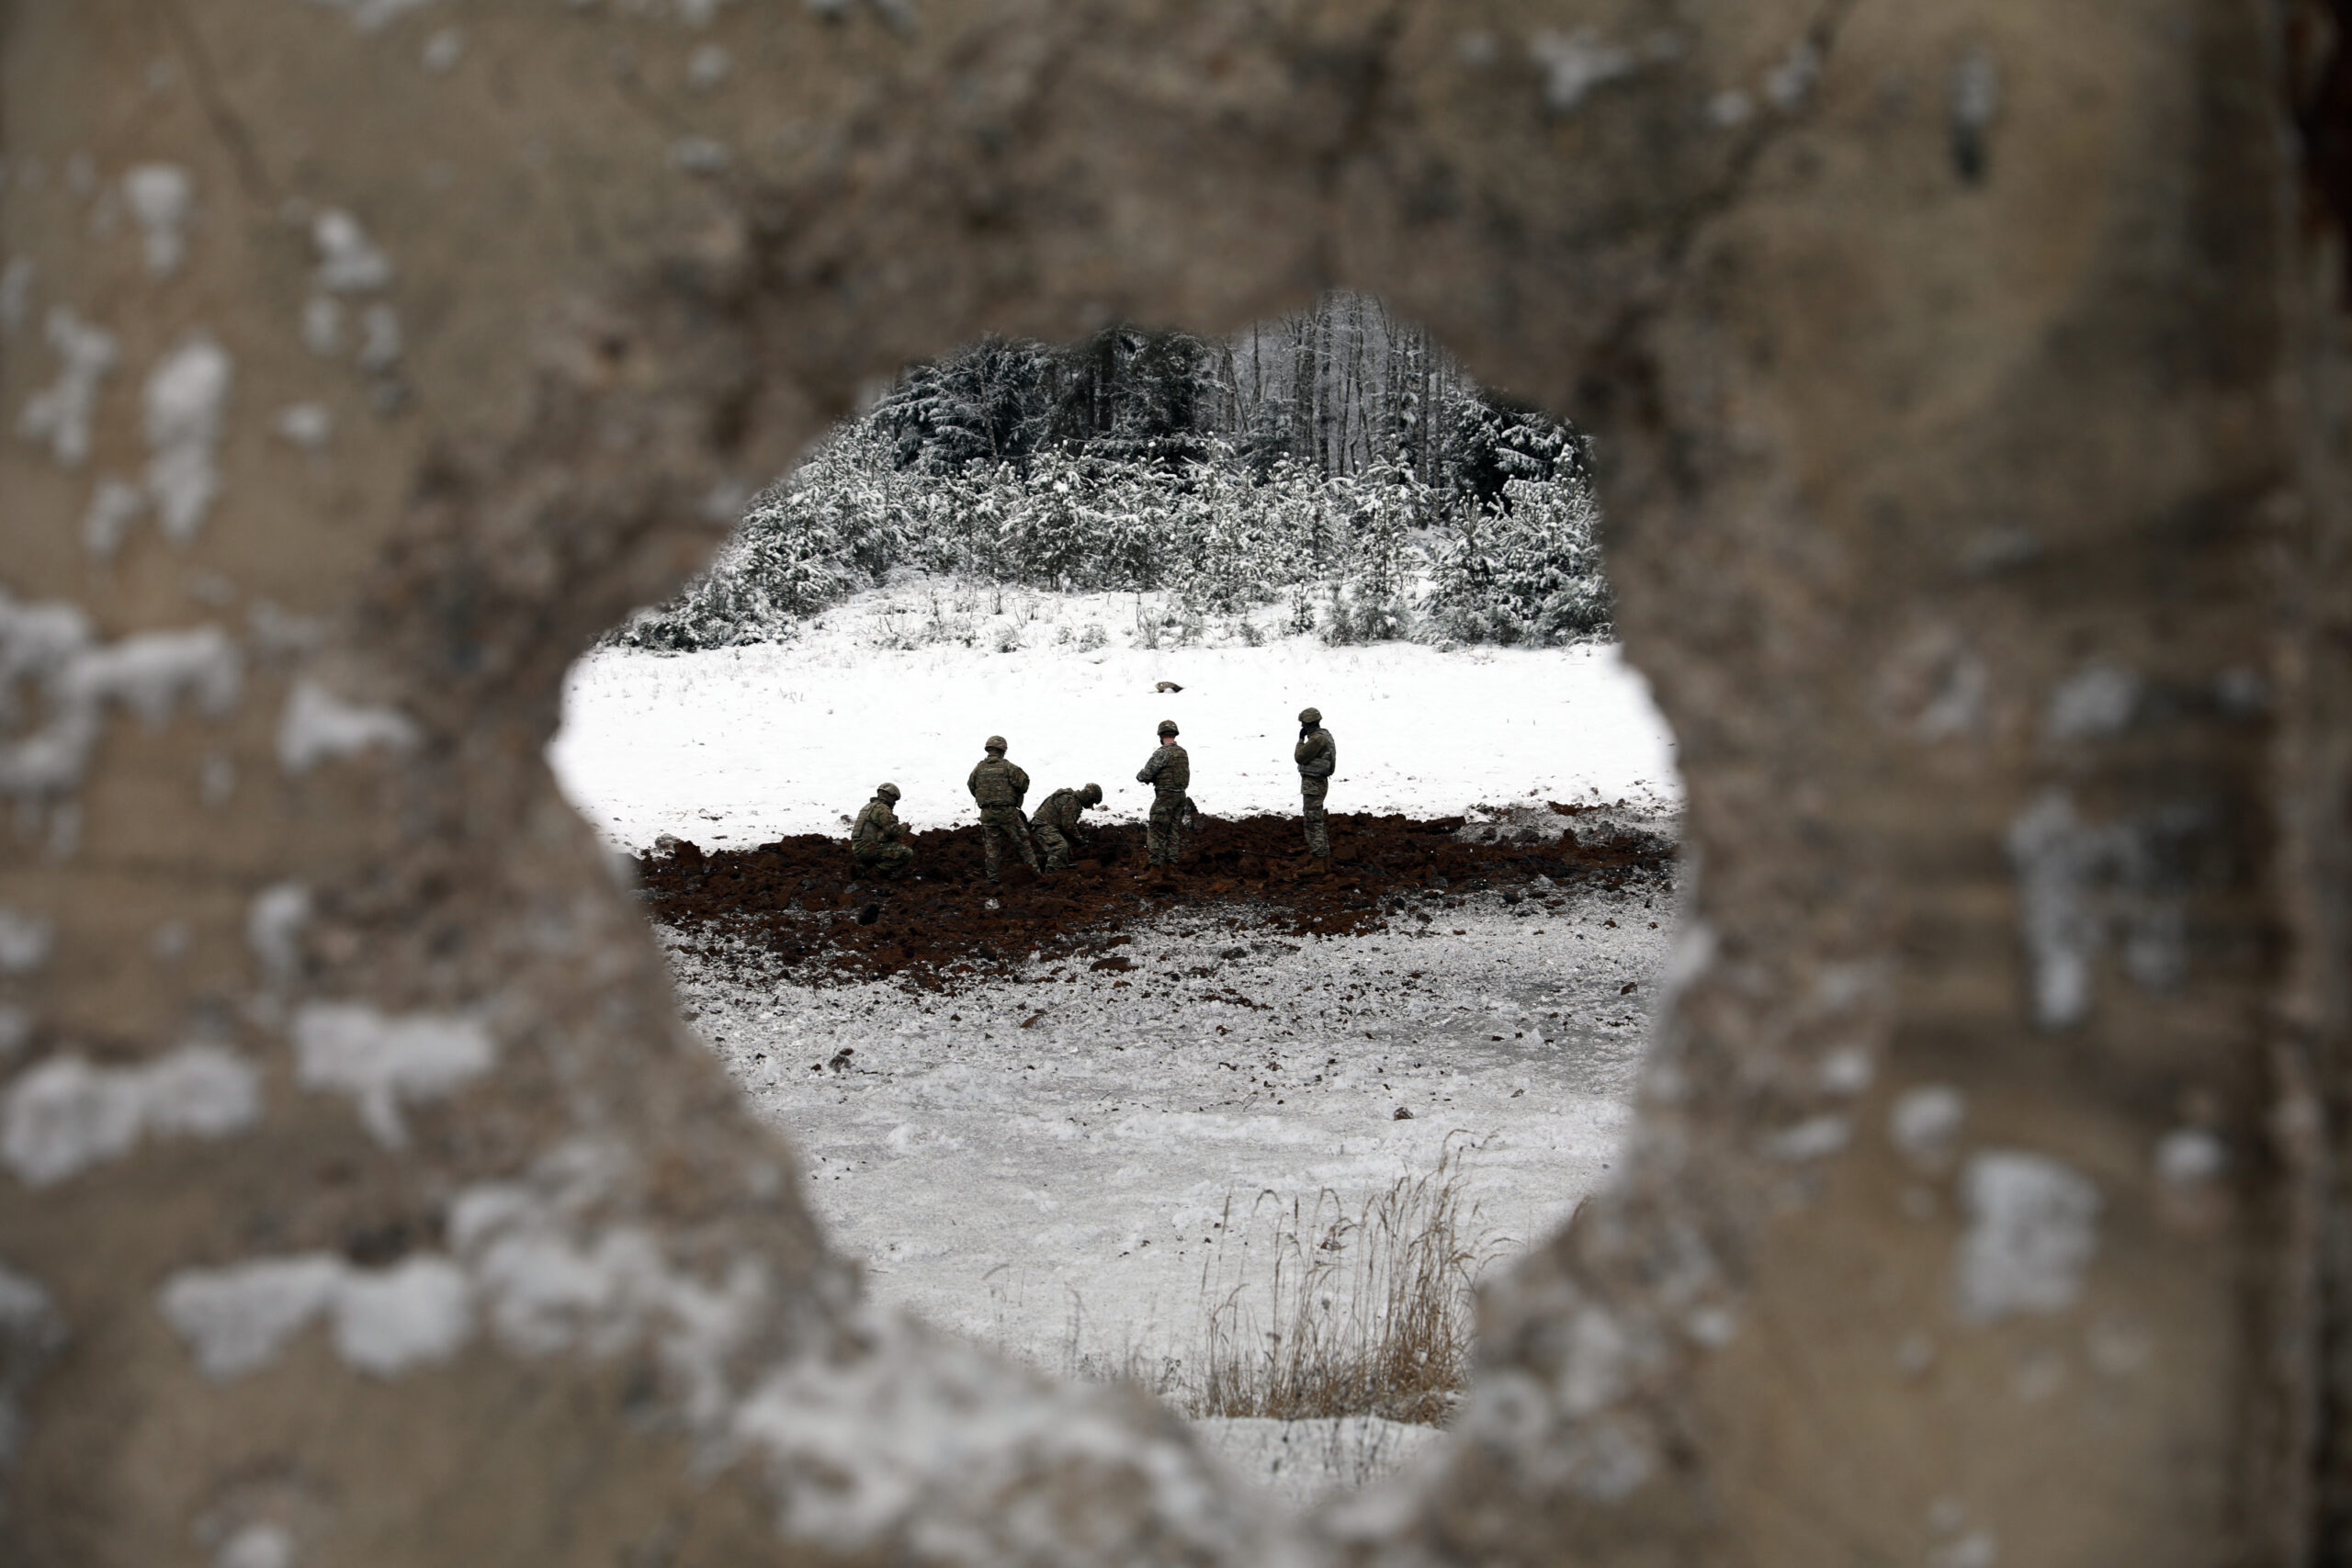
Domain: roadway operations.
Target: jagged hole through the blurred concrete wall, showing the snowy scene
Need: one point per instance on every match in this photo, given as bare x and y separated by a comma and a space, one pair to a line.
1245, 1132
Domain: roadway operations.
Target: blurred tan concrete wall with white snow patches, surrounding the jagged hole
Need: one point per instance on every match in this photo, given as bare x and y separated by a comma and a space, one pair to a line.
1970, 382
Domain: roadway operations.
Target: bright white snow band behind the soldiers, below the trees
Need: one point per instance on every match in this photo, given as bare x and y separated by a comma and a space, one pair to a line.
742, 746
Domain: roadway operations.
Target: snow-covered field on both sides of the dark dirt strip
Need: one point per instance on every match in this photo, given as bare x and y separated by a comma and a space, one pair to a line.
1067, 1167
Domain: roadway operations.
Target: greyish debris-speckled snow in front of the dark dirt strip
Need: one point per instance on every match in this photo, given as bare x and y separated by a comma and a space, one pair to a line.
1048, 1167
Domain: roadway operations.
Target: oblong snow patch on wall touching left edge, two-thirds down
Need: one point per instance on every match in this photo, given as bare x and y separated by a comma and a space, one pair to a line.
69, 1115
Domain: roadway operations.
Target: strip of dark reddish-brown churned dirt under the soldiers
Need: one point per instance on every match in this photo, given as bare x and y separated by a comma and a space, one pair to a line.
803, 904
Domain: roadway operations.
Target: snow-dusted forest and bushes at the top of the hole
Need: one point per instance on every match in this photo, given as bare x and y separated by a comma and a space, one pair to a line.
1335, 462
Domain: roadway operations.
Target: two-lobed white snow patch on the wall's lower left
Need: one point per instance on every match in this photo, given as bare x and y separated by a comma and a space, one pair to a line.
387, 1322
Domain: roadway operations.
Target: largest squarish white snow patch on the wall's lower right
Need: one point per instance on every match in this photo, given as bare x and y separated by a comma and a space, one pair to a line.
2033, 1228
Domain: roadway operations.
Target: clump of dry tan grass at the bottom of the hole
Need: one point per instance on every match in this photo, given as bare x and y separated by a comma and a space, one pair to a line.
1323, 1313
